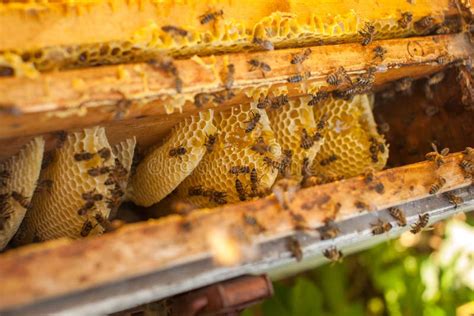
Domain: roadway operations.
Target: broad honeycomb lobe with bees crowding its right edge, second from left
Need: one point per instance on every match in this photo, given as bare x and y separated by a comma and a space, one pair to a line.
54, 211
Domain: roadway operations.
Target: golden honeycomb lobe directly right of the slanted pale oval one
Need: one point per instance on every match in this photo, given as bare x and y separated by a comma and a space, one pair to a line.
234, 148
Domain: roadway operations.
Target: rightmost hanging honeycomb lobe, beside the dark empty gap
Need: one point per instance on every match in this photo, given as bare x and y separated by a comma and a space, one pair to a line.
352, 145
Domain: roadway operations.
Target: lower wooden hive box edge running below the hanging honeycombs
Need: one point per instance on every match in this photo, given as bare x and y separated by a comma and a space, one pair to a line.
59, 267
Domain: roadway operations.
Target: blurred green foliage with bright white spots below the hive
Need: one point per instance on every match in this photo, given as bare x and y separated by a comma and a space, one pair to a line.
431, 273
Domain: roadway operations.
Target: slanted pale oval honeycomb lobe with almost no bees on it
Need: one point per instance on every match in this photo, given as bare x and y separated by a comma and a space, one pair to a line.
160, 173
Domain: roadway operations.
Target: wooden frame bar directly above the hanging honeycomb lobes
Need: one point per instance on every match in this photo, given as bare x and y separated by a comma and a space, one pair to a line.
76, 99
